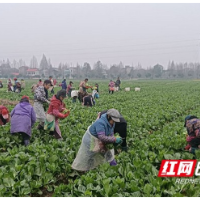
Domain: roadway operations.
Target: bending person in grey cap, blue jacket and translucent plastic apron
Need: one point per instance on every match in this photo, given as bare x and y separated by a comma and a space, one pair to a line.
93, 151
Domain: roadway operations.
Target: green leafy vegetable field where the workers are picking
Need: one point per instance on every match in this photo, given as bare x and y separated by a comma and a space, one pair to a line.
155, 117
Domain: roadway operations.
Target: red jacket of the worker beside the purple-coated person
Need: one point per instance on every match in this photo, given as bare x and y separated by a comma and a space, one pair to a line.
56, 108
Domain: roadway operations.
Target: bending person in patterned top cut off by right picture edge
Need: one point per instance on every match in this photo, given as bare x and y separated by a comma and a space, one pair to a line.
192, 124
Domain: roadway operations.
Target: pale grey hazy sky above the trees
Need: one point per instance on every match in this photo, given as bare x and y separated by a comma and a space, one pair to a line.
74, 32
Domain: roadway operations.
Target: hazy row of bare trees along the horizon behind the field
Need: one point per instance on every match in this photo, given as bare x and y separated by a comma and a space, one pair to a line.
102, 71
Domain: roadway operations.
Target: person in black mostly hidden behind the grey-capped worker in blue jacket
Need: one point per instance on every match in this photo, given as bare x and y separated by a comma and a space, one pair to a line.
121, 128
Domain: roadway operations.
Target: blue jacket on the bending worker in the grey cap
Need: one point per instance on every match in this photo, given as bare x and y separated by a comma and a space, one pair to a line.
102, 126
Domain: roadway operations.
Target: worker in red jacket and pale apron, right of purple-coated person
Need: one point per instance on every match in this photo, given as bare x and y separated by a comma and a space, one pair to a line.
55, 112
